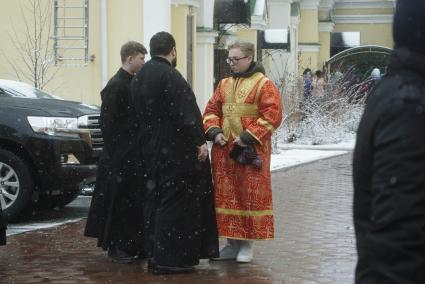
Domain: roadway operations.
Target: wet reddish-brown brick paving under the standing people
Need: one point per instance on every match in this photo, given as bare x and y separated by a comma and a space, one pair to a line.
314, 242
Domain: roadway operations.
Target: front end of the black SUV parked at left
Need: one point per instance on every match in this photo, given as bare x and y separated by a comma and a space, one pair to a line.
49, 148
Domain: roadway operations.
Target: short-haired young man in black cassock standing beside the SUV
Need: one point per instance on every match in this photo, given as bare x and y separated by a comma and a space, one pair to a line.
115, 213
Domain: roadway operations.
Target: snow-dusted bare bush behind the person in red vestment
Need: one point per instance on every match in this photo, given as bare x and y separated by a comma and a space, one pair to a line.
330, 119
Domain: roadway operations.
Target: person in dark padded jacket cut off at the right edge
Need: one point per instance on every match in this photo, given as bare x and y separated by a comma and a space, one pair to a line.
389, 161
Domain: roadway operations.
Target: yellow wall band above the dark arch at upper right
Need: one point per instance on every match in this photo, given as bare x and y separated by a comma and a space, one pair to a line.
375, 34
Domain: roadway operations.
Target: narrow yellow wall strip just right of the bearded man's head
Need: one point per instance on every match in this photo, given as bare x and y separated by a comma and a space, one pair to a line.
179, 30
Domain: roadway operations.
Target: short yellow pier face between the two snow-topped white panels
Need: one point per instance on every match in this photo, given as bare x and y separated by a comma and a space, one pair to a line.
309, 26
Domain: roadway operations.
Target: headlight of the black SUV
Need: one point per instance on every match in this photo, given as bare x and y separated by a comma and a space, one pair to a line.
57, 126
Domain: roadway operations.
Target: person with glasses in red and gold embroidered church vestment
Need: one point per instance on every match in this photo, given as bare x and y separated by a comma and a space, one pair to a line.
240, 118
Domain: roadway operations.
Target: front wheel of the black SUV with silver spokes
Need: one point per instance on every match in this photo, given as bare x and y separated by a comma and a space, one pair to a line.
16, 185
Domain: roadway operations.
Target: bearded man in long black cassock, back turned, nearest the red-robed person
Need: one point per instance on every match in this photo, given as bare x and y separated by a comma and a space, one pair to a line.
179, 210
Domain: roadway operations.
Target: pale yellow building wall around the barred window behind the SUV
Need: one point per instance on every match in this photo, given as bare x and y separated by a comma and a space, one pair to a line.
78, 83
